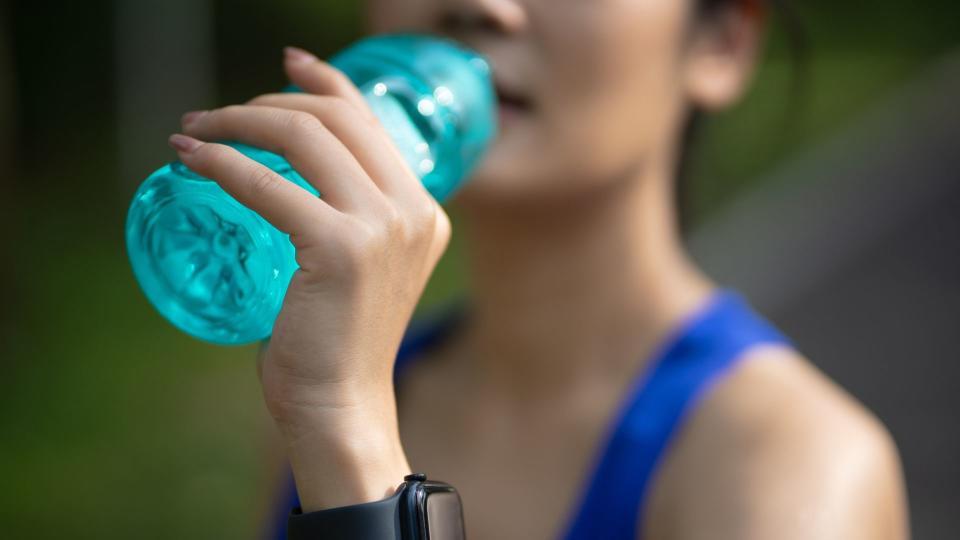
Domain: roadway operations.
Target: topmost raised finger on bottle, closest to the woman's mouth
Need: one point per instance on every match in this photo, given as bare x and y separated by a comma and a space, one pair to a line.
318, 77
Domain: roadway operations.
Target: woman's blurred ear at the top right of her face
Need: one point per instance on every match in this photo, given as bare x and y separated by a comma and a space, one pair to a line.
722, 54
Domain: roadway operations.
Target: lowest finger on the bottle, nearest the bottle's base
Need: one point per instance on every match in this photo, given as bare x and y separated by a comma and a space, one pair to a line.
284, 204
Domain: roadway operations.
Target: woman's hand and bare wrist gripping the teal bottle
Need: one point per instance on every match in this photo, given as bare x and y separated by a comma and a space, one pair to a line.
365, 252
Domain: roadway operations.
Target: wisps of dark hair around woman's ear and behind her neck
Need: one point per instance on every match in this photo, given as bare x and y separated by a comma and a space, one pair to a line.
796, 42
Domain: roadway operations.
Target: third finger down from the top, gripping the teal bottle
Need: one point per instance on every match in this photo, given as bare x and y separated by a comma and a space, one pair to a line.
308, 145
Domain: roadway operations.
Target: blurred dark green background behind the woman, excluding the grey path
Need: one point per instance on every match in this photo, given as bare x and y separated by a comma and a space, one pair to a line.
114, 425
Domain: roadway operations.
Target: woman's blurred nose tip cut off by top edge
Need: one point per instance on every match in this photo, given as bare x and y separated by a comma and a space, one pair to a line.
459, 17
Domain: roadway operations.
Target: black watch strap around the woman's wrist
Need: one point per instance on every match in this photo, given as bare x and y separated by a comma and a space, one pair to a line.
377, 520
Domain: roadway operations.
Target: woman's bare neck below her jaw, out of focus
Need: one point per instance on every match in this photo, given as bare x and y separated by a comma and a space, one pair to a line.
582, 291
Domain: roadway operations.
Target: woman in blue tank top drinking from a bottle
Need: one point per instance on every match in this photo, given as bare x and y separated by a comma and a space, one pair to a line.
601, 385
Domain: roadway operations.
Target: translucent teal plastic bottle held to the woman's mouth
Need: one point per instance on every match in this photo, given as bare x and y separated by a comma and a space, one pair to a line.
219, 272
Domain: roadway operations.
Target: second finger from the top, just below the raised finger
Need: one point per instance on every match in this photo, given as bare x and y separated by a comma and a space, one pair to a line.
369, 144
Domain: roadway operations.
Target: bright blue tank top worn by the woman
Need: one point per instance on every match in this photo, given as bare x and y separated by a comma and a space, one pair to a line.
699, 352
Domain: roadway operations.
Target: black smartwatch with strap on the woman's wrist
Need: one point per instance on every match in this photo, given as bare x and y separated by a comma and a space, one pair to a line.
420, 509
